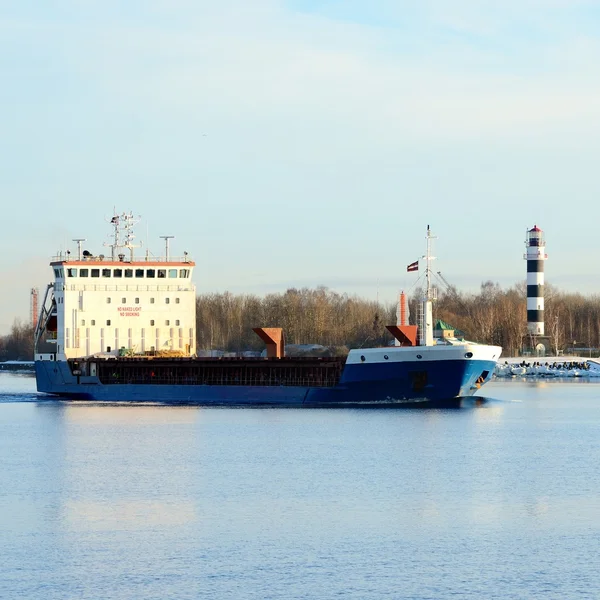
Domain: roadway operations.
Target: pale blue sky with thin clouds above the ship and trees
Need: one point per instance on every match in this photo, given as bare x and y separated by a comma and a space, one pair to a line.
303, 143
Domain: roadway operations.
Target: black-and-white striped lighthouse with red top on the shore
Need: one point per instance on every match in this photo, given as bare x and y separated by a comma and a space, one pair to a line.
535, 257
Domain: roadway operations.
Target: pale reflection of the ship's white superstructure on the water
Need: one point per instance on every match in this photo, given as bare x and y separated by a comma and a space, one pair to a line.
119, 467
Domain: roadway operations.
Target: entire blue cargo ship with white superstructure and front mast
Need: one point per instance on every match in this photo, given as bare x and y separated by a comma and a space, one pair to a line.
120, 328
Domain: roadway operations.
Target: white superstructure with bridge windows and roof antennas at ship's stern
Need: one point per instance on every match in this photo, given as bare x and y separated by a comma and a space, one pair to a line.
119, 305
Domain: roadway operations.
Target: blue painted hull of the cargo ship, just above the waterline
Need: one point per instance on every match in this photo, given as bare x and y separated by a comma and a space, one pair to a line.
401, 383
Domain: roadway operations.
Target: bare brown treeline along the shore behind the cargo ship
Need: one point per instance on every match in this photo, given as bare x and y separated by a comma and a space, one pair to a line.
320, 316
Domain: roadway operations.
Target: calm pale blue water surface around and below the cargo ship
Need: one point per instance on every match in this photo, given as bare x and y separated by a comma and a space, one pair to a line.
493, 501
